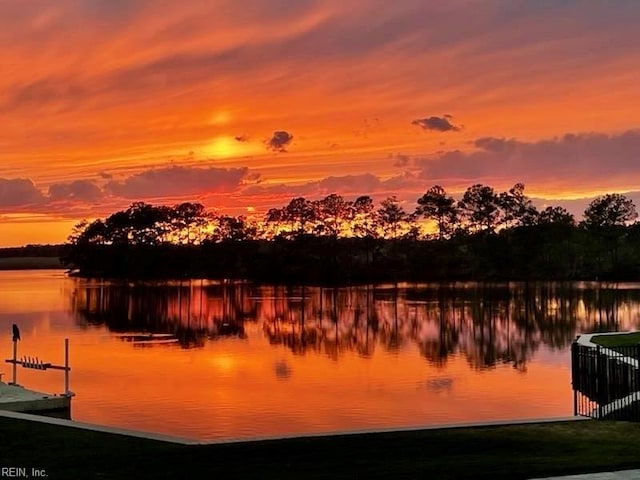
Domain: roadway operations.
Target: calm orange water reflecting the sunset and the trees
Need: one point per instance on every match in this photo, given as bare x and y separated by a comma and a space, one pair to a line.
213, 360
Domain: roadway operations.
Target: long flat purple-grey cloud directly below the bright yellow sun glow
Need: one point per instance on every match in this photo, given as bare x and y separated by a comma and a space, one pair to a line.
178, 181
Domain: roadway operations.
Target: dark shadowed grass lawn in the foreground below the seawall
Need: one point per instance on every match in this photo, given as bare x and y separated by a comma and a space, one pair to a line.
503, 452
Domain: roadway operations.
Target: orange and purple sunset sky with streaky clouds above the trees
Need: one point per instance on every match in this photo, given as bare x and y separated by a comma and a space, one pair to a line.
243, 105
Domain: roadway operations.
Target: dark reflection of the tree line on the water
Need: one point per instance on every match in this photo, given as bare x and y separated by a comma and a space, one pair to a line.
487, 324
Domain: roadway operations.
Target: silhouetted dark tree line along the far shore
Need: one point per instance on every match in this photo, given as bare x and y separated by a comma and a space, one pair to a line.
483, 235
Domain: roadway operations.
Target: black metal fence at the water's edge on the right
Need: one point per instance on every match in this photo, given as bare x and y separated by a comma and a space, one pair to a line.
606, 382
